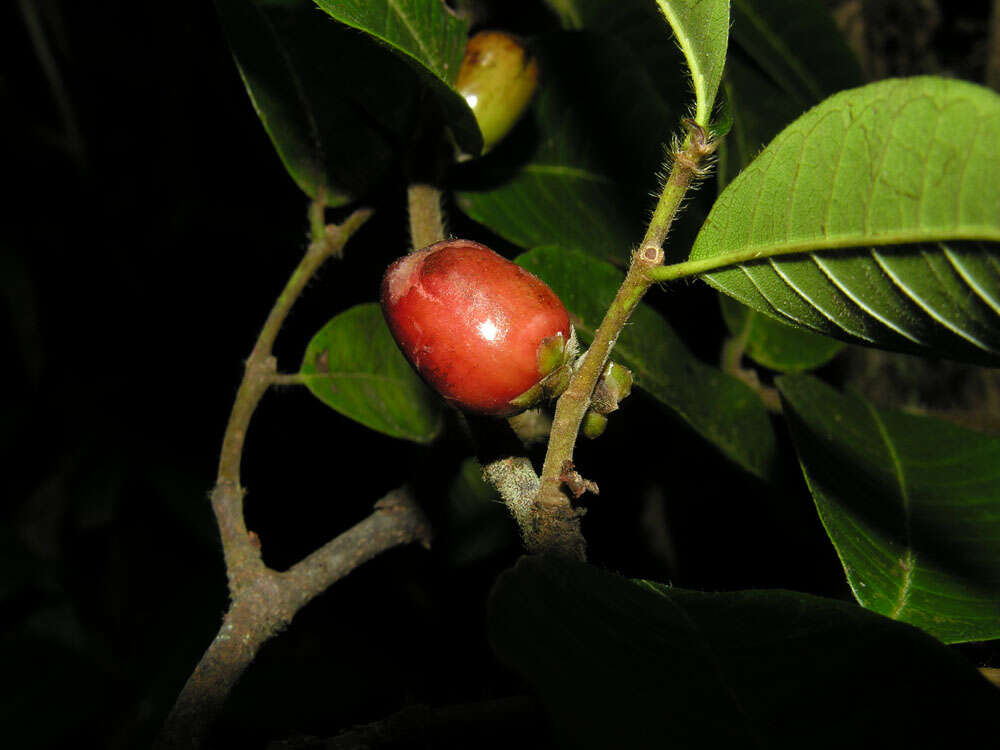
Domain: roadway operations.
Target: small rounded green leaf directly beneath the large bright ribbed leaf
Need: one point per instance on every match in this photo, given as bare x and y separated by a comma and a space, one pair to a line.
775, 344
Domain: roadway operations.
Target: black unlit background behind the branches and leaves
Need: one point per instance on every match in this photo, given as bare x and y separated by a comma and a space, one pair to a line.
146, 229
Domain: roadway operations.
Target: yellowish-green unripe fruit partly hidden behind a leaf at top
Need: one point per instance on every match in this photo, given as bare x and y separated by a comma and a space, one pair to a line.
497, 78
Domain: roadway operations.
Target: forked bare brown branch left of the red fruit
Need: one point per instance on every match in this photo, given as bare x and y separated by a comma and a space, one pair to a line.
263, 601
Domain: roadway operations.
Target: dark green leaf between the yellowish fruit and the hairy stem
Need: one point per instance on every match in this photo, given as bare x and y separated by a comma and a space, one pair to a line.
580, 169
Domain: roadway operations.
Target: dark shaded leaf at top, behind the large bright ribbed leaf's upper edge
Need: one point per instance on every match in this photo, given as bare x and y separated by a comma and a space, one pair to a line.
784, 57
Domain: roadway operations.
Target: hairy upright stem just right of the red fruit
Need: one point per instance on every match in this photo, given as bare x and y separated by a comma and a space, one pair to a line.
556, 523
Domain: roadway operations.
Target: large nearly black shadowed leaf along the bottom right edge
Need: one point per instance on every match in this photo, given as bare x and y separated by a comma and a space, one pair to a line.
629, 664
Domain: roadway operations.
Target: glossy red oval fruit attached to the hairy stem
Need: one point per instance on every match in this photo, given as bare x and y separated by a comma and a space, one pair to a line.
480, 329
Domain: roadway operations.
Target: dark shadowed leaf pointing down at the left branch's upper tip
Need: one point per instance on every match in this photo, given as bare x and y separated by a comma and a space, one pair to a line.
331, 131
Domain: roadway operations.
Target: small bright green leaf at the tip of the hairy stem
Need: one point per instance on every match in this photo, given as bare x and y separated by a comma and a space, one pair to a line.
702, 30
